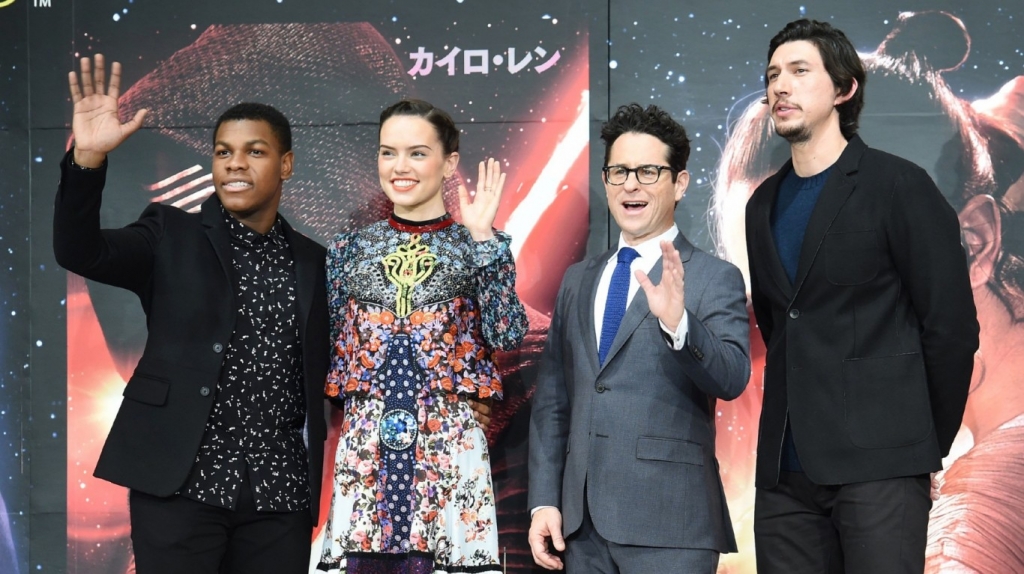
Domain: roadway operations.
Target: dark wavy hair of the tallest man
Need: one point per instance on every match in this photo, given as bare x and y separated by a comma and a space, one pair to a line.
841, 62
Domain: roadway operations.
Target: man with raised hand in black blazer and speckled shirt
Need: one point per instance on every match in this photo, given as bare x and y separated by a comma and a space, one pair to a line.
221, 434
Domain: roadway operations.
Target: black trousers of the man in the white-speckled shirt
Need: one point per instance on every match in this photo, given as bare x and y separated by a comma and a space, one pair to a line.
176, 535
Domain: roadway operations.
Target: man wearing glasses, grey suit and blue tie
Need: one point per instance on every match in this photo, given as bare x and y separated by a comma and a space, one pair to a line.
644, 341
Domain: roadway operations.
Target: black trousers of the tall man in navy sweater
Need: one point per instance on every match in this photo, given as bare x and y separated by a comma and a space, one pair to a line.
862, 528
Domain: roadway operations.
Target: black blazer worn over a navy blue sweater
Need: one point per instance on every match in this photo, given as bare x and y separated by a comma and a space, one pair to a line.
871, 352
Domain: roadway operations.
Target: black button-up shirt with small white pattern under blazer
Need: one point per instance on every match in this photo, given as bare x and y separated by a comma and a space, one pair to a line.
254, 436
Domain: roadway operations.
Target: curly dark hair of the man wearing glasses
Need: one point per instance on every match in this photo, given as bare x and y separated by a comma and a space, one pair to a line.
653, 121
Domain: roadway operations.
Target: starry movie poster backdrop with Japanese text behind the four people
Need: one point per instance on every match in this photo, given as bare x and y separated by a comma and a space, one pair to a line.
529, 83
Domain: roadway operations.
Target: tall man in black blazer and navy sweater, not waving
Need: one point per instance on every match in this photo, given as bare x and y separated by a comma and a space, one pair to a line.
861, 290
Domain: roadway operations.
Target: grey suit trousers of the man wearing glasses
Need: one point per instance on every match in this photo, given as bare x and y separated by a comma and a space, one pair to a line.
588, 553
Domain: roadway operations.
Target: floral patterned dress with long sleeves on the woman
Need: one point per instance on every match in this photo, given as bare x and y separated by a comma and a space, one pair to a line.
417, 312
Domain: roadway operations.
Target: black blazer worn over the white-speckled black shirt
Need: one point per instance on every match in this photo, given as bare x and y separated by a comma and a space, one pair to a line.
180, 266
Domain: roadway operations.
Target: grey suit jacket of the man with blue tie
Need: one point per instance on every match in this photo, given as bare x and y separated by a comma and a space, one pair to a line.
637, 434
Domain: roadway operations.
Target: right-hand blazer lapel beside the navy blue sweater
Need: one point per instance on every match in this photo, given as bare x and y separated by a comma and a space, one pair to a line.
834, 196
